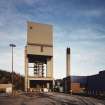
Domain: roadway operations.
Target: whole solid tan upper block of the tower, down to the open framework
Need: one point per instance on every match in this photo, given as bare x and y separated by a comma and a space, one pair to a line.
39, 39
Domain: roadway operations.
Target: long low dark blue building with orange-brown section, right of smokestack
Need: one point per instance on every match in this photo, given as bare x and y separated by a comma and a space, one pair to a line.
92, 85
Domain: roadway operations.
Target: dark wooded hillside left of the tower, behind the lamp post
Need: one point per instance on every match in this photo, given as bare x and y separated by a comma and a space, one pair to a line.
6, 77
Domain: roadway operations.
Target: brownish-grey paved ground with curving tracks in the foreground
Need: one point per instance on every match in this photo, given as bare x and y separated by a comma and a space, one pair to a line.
49, 99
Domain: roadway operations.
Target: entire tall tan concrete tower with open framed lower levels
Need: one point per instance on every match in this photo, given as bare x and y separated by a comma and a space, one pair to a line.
39, 57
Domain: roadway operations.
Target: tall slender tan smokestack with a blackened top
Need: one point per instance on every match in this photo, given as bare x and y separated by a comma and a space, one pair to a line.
67, 62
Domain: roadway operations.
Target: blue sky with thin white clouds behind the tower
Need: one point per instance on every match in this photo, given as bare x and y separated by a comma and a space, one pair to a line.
78, 24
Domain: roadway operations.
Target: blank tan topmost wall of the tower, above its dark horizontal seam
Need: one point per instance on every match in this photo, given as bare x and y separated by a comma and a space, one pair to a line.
39, 34
